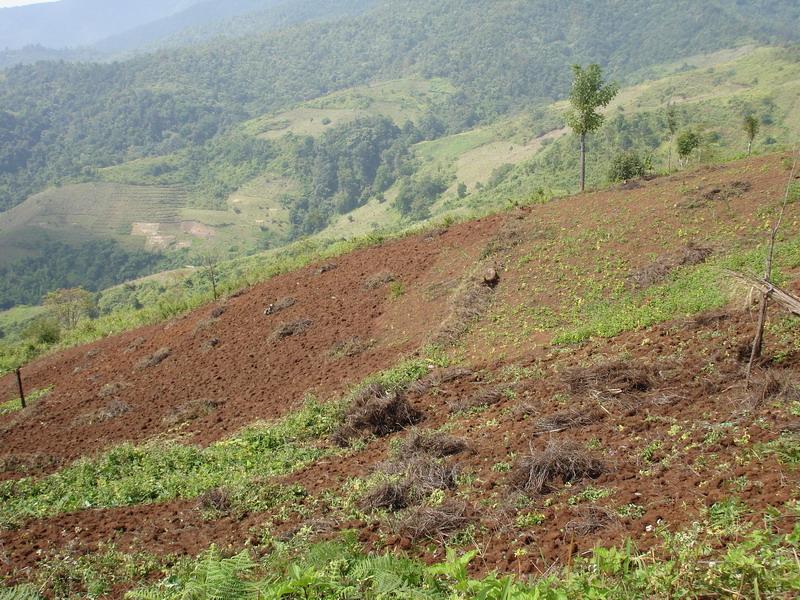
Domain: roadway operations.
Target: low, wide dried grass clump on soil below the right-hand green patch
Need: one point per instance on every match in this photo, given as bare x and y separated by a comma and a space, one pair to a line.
616, 377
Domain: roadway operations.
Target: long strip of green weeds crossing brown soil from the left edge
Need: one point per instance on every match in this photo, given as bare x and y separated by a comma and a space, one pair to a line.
159, 471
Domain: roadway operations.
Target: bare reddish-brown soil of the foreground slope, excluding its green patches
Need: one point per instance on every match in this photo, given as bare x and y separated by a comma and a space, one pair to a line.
647, 402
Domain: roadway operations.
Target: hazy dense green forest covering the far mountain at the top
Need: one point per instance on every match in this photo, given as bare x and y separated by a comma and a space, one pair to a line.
61, 120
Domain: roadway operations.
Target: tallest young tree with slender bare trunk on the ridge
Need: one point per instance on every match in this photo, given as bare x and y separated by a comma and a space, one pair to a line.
589, 92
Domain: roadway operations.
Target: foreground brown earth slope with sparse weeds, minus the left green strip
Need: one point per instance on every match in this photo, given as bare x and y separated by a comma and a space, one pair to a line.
654, 422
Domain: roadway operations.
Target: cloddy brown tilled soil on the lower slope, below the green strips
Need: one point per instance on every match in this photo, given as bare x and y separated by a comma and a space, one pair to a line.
672, 494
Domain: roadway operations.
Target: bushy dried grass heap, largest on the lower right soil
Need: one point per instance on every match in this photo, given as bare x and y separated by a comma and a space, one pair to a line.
537, 472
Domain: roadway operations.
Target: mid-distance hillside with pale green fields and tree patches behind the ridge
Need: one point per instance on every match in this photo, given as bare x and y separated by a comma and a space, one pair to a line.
257, 188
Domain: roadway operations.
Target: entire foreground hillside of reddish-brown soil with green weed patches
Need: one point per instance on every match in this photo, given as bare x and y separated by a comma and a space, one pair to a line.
402, 400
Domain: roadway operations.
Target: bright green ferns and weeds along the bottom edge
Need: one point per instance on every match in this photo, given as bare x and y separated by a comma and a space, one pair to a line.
762, 564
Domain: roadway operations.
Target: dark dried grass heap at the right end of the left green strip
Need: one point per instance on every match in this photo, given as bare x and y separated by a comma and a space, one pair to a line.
378, 412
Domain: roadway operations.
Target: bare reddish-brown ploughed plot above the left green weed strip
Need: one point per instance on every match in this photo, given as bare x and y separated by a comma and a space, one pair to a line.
249, 372
